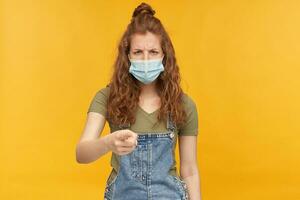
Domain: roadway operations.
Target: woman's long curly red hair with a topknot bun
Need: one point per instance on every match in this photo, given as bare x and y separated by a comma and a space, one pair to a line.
124, 88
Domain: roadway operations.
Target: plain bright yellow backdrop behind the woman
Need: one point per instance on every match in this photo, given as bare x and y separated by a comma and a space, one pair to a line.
239, 61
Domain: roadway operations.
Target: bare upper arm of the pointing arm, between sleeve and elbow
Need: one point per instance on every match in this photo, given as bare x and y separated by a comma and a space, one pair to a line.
93, 126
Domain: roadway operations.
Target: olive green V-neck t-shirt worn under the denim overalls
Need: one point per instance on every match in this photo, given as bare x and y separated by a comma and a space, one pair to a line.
146, 122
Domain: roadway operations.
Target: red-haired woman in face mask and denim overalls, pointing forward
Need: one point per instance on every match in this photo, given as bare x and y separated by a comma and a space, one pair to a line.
147, 111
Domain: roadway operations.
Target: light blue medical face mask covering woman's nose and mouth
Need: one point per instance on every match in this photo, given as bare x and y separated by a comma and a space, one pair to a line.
146, 71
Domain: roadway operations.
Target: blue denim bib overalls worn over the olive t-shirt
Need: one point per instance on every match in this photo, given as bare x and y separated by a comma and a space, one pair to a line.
144, 173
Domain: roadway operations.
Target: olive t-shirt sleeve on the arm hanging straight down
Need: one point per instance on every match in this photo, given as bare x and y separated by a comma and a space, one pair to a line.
191, 125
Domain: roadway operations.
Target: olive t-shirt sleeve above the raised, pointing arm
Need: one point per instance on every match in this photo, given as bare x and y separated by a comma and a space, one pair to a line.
99, 102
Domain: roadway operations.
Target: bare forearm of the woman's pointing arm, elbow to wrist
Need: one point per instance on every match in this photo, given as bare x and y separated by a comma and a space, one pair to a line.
90, 150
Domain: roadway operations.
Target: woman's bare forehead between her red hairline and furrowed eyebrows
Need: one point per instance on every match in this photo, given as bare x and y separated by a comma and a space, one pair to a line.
145, 41
